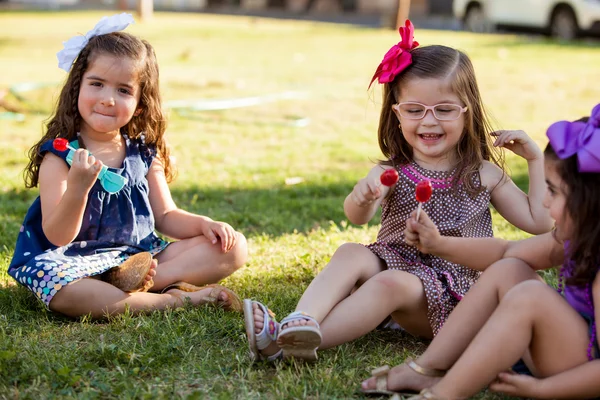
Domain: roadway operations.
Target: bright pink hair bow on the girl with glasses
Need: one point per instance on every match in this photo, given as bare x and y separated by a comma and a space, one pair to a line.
398, 57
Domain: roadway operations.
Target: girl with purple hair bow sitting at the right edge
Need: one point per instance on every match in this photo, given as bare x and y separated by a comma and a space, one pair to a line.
499, 322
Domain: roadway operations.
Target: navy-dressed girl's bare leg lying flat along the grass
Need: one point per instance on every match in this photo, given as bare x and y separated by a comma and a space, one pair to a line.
99, 299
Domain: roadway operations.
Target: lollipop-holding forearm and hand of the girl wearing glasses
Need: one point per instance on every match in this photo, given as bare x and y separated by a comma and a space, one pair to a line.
364, 200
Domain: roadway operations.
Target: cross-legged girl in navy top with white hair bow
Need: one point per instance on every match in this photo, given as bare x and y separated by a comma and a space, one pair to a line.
101, 199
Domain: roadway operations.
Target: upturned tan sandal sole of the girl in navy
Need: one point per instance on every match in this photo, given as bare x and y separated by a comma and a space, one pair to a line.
130, 276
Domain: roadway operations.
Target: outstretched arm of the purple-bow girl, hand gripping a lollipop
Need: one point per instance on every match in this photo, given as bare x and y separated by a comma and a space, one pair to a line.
540, 252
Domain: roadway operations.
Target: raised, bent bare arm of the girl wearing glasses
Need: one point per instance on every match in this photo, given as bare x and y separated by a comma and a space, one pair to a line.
525, 211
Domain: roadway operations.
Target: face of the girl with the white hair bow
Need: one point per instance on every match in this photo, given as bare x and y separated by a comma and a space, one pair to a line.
108, 96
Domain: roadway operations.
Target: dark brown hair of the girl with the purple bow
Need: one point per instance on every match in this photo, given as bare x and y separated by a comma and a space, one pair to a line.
583, 208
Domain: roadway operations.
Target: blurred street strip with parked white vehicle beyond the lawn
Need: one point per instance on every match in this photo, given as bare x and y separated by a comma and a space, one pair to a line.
562, 19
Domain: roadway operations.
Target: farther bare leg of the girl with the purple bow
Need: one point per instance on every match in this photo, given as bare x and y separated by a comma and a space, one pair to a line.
462, 325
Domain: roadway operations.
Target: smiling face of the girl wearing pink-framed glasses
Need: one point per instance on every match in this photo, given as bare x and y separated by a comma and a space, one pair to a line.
434, 142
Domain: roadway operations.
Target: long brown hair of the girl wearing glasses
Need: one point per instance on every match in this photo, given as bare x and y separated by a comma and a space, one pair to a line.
476, 144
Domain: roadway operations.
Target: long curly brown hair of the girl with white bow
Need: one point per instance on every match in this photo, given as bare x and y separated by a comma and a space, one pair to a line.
150, 121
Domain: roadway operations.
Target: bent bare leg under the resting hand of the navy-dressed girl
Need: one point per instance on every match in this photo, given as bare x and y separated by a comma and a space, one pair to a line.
198, 261
